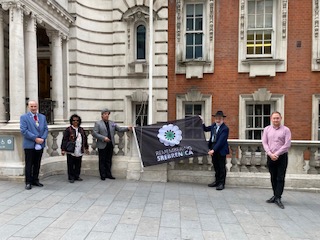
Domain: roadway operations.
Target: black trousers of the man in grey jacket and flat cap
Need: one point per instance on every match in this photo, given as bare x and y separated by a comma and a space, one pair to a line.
105, 160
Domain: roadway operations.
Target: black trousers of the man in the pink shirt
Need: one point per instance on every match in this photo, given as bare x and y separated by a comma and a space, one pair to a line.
277, 171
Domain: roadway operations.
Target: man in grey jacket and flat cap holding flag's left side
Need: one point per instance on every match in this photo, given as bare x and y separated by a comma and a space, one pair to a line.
104, 131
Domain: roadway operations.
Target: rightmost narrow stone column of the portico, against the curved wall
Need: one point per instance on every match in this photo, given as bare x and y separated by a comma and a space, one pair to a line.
66, 88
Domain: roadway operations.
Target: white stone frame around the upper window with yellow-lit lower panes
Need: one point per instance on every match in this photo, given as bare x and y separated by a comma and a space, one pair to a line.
264, 65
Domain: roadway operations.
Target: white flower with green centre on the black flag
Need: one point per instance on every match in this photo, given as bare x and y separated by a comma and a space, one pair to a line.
170, 135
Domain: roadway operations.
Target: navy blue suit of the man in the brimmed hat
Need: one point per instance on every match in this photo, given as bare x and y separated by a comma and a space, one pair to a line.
221, 149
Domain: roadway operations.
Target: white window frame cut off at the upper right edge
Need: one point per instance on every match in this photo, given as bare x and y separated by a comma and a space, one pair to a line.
315, 64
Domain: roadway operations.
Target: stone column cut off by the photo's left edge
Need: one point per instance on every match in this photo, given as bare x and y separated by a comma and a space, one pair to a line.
2, 73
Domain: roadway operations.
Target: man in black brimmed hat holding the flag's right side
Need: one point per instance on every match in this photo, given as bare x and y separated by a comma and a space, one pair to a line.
218, 149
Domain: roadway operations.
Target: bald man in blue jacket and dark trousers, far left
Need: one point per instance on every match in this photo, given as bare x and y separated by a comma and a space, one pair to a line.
34, 129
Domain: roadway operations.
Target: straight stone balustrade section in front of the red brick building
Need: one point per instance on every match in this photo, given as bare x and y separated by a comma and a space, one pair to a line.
249, 156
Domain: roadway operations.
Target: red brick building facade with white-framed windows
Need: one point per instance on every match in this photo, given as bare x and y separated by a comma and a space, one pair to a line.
247, 58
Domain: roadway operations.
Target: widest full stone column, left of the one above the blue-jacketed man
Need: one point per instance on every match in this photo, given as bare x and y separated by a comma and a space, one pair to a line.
17, 95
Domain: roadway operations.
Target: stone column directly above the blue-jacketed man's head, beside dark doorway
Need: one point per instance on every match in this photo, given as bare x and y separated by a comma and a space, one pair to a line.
31, 60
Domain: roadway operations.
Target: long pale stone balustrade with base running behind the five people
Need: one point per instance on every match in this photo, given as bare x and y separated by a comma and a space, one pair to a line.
246, 163
